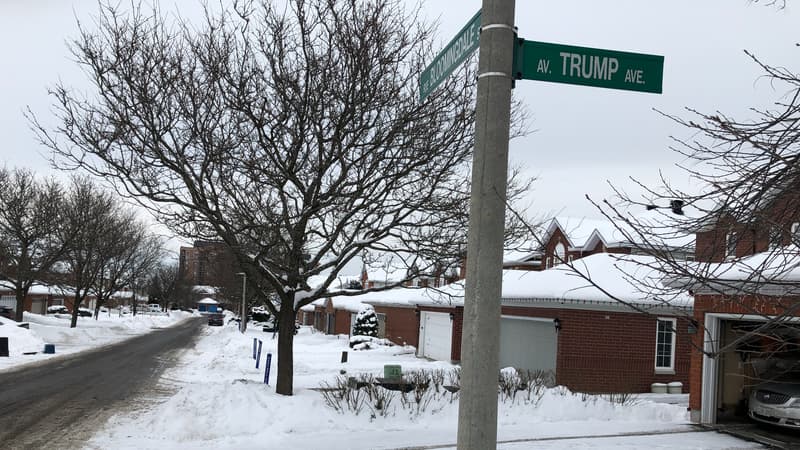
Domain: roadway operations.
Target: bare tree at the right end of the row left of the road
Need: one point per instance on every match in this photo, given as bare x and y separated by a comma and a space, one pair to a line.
129, 252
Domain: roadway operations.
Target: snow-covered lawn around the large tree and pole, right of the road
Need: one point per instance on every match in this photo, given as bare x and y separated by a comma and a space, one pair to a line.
220, 401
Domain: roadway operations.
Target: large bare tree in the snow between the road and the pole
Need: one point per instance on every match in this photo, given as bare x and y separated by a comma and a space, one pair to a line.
295, 135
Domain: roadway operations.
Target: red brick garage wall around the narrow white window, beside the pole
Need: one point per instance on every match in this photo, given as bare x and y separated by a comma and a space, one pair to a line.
606, 351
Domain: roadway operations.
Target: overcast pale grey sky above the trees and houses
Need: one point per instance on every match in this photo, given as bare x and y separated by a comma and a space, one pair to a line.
584, 136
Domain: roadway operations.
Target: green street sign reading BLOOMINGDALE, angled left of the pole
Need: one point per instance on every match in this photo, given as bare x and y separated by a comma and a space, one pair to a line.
465, 42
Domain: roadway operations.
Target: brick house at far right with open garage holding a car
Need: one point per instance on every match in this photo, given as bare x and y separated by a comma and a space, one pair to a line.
746, 295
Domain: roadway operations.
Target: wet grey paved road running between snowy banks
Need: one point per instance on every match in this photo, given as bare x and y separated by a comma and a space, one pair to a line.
61, 403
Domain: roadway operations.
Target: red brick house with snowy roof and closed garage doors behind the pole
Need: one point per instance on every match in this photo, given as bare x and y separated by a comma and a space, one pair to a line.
552, 320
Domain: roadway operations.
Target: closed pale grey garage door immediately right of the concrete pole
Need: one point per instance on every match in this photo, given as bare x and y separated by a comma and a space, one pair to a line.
528, 343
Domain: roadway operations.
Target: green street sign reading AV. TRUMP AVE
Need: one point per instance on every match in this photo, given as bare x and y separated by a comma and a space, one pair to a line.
588, 66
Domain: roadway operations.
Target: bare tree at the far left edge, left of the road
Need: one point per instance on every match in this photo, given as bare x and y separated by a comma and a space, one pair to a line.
31, 242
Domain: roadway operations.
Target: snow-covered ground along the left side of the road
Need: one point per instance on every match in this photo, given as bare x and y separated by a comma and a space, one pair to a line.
54, 329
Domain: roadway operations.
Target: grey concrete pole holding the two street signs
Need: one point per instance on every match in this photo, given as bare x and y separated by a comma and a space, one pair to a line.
480, 343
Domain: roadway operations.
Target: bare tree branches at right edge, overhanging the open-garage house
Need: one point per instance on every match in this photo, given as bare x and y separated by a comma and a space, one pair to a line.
746, 219
